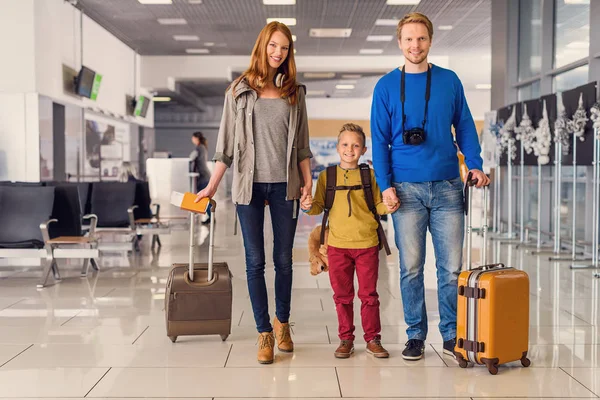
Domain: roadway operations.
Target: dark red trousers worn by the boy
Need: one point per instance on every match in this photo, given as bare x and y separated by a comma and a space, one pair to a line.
342, 263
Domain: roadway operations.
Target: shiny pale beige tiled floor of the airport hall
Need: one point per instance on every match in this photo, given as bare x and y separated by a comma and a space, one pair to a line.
104, 336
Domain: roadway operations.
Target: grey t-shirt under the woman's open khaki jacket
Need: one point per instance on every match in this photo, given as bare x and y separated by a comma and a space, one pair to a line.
270, 125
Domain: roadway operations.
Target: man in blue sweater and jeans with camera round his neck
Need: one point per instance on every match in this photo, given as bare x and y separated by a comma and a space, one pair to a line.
415, 161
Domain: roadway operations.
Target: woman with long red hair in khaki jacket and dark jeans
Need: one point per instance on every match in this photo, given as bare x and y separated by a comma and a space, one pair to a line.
264, 137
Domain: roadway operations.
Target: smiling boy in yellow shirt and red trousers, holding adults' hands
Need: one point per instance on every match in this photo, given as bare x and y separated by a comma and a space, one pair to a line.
353, 243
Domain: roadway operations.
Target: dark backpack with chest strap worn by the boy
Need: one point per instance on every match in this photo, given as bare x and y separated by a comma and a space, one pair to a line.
331, 185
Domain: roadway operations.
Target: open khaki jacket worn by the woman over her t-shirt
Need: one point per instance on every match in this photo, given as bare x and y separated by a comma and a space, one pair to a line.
235, 143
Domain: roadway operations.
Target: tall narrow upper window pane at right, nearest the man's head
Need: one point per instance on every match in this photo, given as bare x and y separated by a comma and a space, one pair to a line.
530, 32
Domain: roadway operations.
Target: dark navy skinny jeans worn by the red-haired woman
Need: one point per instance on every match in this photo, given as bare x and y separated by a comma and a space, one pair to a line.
252, 218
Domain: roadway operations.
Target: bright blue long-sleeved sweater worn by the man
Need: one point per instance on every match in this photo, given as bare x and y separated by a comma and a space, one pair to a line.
436, 158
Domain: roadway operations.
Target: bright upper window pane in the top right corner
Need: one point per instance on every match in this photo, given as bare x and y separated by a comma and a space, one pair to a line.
572, 31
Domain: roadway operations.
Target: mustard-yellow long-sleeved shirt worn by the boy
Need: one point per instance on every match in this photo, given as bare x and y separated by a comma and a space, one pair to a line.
349, 230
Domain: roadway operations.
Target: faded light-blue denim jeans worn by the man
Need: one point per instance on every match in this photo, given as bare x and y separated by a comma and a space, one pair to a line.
437, 206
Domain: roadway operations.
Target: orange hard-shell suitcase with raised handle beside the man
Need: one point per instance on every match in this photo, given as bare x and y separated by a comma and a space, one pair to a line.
493, 307
